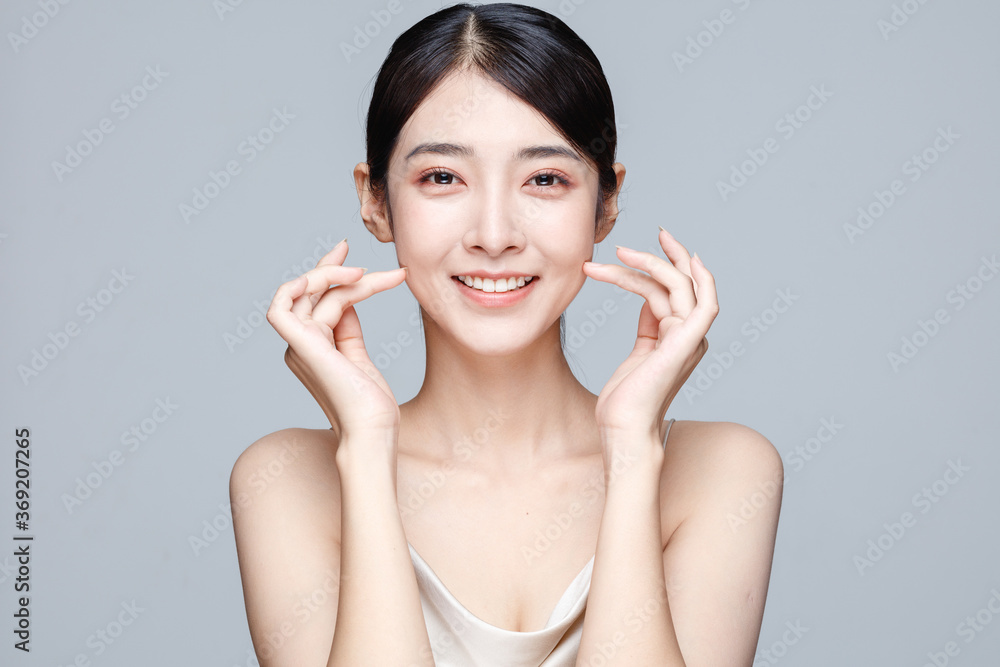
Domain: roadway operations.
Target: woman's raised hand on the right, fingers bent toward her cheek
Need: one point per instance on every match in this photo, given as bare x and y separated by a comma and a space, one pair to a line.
681, 304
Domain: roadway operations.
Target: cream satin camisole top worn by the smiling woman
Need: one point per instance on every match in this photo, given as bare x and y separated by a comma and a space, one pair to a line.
459, 638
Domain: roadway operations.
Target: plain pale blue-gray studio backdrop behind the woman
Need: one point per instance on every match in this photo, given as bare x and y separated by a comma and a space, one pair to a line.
682, 129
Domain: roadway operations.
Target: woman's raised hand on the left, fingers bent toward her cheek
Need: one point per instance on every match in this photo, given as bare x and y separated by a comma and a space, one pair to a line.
326, 350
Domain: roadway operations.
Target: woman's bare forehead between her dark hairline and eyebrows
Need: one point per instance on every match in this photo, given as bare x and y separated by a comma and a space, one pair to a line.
469, 109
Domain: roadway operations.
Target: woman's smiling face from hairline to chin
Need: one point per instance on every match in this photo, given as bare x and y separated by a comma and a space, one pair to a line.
481, 185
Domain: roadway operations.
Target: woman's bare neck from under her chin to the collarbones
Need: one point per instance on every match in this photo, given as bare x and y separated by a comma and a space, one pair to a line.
498, 412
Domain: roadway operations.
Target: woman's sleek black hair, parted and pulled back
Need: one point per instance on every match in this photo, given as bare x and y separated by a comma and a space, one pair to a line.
530, 52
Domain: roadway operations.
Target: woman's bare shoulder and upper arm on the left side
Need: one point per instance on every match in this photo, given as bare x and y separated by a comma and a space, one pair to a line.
285, 496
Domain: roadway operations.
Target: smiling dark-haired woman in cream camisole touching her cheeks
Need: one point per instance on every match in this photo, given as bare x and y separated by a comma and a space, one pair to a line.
505, 515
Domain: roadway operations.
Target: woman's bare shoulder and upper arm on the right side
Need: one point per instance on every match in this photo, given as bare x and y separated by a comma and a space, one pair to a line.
720, 500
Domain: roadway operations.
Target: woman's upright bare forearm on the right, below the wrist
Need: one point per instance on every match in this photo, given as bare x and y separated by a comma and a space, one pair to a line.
628, 619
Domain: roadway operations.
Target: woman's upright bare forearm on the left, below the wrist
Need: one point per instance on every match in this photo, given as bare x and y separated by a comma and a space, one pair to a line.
379, 617
